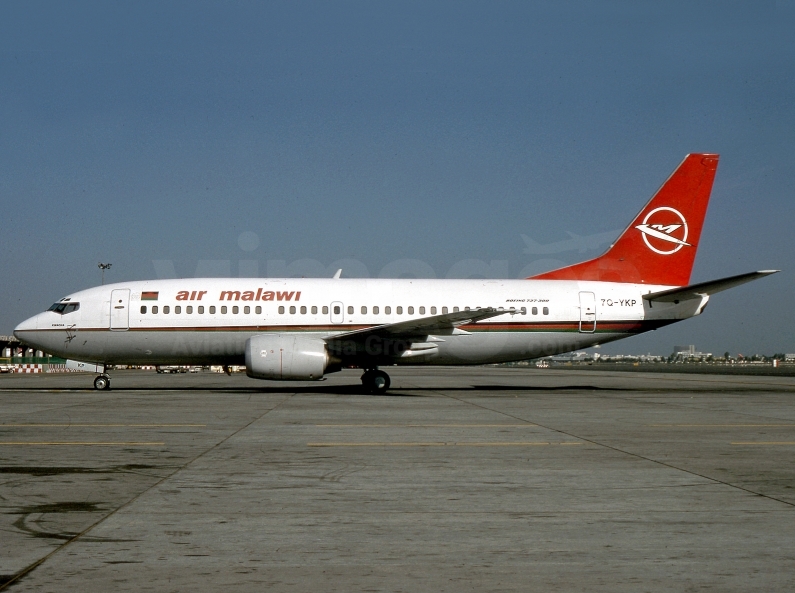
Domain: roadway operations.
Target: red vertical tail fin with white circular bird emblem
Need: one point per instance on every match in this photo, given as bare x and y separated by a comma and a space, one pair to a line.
659, 247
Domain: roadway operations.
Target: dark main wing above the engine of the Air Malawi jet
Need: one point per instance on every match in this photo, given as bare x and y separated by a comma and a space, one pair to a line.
414, 328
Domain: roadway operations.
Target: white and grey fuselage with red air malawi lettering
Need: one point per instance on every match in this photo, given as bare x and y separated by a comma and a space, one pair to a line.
207, 321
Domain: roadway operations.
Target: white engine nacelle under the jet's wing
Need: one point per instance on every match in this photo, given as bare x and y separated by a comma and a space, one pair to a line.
286, 357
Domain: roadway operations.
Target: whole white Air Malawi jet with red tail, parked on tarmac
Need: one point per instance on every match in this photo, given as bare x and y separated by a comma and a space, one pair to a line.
302, 329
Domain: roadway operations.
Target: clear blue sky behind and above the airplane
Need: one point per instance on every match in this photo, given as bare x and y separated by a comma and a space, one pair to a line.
401, 137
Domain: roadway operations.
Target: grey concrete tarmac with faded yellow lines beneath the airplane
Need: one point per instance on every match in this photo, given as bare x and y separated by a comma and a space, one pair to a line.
460, 479
